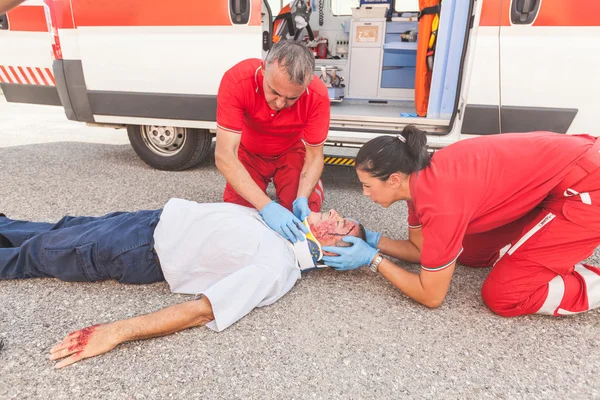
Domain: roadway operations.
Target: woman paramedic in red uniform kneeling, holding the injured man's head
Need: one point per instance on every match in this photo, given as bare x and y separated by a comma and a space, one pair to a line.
526, 204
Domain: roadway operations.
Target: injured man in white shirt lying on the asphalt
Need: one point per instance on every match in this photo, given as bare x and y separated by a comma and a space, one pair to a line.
223, 252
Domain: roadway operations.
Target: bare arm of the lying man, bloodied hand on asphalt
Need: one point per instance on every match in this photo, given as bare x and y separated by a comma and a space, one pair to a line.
98, 339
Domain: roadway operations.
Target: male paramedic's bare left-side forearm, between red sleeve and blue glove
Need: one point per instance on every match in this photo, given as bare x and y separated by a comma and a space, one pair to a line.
234, 172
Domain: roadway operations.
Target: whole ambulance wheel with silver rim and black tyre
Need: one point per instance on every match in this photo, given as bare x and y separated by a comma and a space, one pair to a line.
170, 148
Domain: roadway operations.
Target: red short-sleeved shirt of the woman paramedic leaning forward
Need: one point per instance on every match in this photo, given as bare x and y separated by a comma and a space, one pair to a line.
480, 184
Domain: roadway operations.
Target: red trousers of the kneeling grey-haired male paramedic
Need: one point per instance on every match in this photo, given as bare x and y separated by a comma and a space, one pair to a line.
284, 170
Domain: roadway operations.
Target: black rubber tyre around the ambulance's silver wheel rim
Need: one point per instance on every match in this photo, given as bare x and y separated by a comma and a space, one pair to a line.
197, 147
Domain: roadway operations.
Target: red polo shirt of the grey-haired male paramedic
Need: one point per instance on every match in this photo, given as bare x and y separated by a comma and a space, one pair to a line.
242, 108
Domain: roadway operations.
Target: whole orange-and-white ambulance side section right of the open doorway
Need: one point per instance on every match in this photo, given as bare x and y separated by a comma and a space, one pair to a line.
535, 66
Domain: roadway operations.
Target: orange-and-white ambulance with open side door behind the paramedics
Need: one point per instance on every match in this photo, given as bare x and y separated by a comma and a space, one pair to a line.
155, 67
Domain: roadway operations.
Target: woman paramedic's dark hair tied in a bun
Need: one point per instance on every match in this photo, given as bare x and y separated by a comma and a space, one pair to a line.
385, 155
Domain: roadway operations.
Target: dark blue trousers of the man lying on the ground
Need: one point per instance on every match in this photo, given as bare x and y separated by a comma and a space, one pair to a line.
82, 249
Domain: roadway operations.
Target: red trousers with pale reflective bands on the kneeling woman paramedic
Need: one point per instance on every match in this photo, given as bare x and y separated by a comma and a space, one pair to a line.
542, 272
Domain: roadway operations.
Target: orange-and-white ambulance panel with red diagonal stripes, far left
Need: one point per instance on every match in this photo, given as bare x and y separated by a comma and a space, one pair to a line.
25, 56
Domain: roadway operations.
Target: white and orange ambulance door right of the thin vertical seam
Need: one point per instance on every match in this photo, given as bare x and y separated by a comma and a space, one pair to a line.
549, 63
